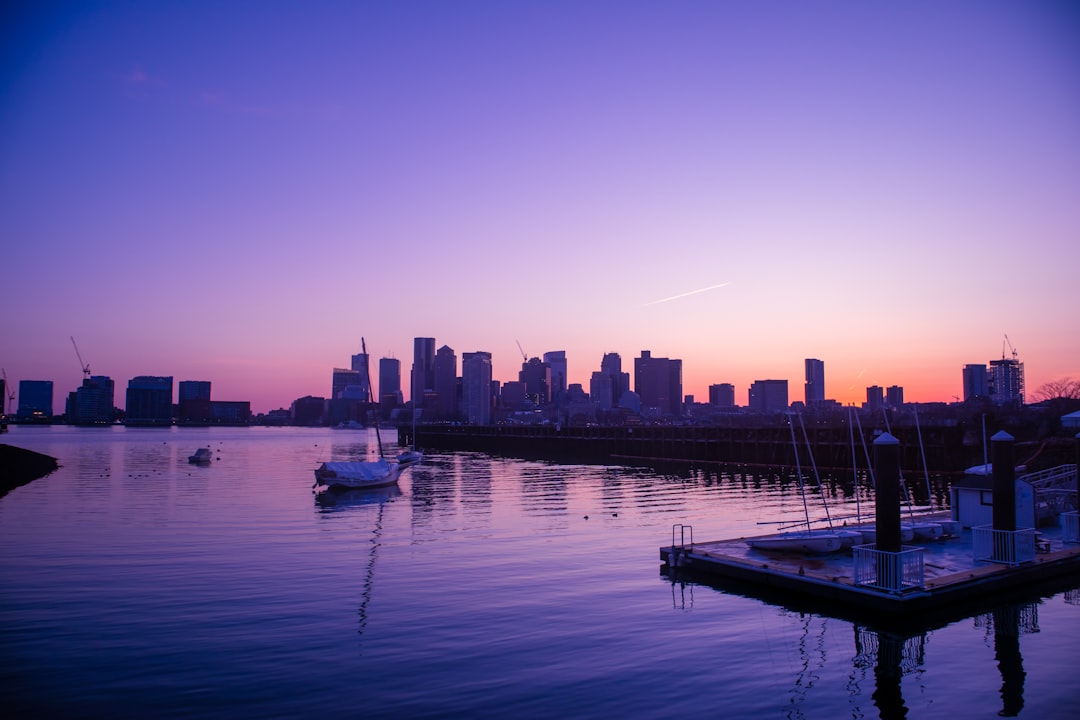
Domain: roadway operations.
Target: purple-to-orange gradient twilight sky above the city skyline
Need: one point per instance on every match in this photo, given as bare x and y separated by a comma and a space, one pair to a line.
239, 193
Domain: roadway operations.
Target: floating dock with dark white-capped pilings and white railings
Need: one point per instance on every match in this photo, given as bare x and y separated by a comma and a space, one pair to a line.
963, 565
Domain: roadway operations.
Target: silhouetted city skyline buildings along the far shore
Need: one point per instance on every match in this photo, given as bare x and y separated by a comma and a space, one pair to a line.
442, 390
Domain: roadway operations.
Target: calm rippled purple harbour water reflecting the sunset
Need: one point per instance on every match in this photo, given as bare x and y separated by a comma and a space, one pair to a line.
136, 585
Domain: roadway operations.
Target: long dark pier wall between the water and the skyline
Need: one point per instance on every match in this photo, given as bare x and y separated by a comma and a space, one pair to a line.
947, 449
